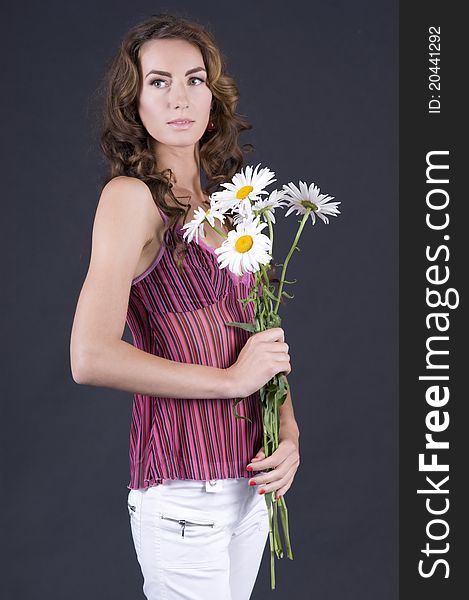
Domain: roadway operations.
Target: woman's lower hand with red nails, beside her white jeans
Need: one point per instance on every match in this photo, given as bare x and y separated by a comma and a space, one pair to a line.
285, 462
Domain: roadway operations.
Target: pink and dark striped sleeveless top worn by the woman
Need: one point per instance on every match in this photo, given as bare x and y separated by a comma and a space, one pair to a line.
182, 317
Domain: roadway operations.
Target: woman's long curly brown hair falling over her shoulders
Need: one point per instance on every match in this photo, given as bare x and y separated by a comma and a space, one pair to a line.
127, 144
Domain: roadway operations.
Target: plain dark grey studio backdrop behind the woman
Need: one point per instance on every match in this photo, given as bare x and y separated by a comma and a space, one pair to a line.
319, 82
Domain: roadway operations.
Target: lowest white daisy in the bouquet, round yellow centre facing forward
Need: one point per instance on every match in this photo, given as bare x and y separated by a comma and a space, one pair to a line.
245, 248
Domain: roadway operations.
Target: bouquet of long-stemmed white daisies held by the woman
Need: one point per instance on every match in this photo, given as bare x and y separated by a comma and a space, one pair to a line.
245, 249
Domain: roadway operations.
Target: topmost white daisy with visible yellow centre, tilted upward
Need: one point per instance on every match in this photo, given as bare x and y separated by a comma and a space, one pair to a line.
244, 189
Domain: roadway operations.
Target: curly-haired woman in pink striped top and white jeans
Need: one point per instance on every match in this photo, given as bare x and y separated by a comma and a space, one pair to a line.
197, 511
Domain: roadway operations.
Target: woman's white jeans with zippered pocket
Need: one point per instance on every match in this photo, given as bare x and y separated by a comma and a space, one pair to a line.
199, 540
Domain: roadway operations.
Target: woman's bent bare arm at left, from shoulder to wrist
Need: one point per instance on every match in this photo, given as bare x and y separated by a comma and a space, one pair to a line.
125, 219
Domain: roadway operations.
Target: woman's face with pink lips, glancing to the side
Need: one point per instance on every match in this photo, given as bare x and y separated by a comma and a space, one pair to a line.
174, 87
